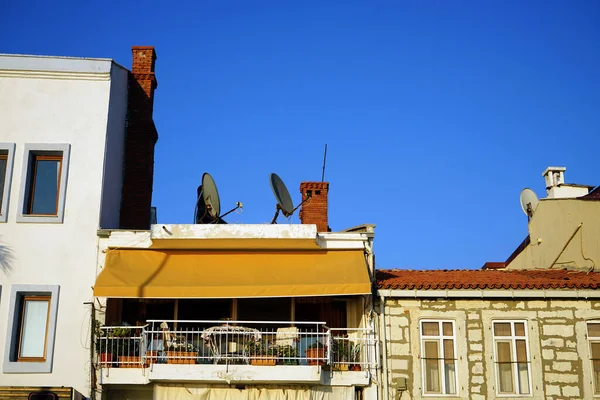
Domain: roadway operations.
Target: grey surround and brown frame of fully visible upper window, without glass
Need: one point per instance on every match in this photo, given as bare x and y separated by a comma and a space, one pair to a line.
31, 154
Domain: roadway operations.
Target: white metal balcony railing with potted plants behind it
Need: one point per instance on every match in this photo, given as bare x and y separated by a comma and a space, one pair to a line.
234, 343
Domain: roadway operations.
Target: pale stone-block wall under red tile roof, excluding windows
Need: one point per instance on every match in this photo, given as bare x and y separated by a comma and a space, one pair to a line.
560, 366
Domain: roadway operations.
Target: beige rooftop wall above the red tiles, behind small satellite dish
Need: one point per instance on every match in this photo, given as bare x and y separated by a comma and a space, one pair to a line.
565, 233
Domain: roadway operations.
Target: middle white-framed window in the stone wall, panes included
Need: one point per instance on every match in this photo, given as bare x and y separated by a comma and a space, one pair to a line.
511, 356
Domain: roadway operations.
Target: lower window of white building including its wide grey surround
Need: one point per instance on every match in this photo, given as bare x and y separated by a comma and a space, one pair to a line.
31, 329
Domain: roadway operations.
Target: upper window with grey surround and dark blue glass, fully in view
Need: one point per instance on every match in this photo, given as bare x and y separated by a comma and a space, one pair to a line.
43, 187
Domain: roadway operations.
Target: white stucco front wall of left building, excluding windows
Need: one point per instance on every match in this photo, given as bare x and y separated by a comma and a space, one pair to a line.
68, 103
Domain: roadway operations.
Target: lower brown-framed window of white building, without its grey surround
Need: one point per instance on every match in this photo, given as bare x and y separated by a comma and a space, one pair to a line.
33, 330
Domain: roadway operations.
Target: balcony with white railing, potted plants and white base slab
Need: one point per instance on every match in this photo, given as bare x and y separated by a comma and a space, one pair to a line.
235, 352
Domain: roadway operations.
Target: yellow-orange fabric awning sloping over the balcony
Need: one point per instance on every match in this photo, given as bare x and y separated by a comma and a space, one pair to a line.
193, 274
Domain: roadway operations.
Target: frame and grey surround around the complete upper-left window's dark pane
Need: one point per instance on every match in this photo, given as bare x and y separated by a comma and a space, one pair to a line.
32, 150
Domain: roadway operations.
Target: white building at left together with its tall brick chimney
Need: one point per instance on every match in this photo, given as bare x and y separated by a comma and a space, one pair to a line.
77, 142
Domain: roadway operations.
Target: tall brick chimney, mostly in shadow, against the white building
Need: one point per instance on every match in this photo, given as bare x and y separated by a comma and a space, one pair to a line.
141, 136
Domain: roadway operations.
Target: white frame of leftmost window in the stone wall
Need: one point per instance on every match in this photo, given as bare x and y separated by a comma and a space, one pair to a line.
440, 338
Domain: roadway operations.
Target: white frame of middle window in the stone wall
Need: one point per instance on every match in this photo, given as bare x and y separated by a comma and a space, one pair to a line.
513, 348
